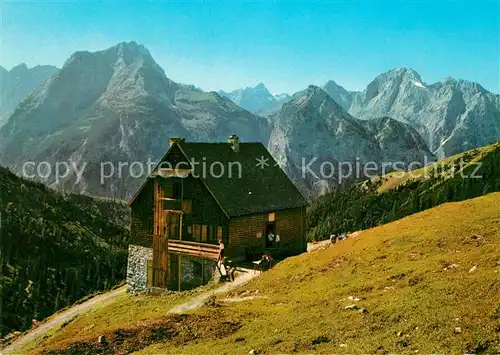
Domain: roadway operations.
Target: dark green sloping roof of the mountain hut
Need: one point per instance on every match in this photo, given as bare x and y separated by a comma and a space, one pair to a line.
255, 190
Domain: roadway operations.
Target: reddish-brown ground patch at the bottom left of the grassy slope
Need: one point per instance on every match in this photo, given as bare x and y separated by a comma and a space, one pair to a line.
178, 329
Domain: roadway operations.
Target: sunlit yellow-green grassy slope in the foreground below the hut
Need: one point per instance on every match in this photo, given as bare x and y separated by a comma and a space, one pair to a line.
399, 270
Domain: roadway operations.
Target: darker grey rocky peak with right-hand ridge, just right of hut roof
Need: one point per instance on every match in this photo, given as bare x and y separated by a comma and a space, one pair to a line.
314, 128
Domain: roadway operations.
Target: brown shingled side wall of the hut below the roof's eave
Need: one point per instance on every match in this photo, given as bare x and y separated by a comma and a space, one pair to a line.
290, 225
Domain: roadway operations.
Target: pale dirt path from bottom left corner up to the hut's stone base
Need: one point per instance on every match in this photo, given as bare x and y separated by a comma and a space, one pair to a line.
58, 319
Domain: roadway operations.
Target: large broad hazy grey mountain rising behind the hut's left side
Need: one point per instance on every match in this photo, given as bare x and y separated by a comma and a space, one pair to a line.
113, 106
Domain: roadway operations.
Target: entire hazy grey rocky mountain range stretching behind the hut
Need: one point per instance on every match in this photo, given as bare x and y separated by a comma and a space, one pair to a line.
117, 106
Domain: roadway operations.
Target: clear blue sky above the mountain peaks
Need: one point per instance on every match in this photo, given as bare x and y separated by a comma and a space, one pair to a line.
286, 45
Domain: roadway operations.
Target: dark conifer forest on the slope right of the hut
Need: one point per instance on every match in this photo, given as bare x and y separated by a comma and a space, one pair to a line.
362, 205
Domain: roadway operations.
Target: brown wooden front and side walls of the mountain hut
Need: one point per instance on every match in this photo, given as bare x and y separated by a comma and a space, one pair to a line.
177, 214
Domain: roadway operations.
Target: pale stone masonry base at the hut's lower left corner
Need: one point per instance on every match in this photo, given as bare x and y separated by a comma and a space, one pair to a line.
137, 268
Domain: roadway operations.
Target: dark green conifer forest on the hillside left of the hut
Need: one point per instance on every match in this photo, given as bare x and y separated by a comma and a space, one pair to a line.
55, 249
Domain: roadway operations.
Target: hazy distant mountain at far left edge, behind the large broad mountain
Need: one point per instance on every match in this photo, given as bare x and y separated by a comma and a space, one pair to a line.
19, 82
